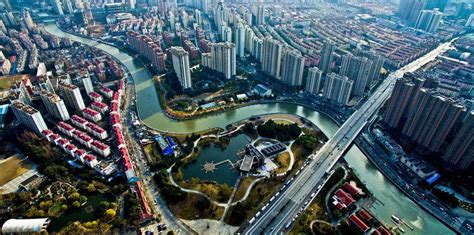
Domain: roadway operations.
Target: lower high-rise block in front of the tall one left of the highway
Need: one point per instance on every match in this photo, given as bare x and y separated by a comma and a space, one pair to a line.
337, 88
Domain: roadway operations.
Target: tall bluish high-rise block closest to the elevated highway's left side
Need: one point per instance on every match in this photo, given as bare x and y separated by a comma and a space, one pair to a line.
358, 70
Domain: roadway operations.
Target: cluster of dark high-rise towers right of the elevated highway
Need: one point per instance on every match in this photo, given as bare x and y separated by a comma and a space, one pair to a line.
436, 123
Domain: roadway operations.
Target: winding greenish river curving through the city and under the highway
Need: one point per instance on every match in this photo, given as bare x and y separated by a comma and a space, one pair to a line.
149, 111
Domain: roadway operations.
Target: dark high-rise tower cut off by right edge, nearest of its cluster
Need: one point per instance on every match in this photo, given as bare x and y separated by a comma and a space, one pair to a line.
460, 152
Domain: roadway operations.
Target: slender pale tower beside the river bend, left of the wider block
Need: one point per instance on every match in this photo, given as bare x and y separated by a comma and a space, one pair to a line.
181, 66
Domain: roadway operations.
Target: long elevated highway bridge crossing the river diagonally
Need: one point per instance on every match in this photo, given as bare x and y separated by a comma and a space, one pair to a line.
295, 197
